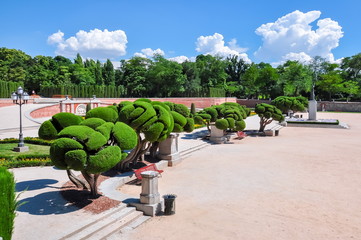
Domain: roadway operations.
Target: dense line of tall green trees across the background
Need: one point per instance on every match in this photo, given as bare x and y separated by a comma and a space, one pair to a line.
159, 77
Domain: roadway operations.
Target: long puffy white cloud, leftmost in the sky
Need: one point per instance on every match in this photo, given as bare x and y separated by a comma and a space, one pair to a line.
96, 44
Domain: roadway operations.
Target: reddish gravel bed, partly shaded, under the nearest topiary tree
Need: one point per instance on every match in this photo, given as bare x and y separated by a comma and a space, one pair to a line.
82, 198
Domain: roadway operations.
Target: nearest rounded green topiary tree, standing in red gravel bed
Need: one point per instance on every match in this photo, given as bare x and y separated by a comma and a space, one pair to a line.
92, 149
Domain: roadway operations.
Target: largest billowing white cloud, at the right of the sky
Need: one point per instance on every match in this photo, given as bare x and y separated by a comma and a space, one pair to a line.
291, 37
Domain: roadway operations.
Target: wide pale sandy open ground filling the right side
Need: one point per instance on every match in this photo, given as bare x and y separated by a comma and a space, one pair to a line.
303, 184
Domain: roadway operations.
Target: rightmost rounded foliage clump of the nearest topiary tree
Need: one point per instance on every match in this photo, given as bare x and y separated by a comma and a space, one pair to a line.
125, 136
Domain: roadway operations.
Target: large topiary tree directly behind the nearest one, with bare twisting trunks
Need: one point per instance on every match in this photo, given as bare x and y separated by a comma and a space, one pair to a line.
153, 121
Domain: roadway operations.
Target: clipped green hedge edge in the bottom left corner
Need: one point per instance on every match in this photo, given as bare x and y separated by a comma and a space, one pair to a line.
8, 203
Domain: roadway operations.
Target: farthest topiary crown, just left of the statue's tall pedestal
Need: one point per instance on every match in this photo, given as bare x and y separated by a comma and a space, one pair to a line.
294, 104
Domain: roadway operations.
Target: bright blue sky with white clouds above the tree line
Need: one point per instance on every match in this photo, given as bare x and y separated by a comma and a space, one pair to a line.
271, 31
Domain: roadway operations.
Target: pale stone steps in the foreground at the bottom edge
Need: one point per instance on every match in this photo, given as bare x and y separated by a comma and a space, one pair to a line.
106, 224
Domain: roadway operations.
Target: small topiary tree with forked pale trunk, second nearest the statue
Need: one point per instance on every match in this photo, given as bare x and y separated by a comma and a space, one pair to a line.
267, 114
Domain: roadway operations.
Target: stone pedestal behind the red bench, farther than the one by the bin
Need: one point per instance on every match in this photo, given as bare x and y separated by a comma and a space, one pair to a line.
168, 150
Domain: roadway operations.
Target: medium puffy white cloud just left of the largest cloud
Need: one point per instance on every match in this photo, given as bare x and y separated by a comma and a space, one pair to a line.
214, 45
